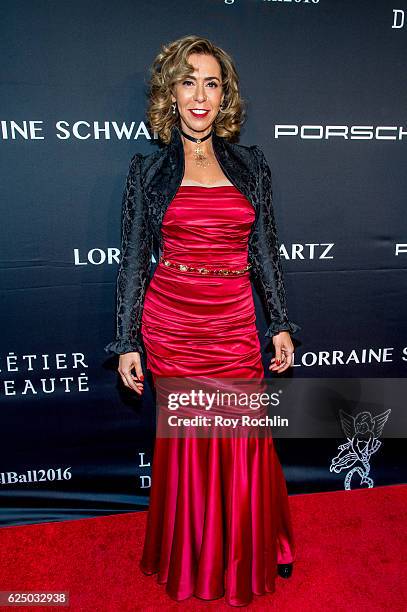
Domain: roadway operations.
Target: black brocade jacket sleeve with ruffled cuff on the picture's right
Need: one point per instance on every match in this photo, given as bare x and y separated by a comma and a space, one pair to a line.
265, 254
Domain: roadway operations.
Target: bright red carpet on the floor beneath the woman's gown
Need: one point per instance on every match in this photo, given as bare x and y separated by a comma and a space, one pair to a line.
351, 556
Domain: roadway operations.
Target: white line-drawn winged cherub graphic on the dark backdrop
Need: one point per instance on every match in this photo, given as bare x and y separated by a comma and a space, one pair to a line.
362, 432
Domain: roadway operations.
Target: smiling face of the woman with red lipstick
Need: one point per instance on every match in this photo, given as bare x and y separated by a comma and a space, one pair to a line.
202, 90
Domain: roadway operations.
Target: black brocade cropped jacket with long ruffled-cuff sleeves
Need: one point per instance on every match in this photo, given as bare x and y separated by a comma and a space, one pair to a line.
152, 183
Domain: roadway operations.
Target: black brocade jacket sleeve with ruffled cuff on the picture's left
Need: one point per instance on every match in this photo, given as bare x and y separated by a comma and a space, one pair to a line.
132, 275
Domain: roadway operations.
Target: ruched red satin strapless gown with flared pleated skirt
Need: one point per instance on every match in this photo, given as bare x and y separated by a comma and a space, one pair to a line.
219, 519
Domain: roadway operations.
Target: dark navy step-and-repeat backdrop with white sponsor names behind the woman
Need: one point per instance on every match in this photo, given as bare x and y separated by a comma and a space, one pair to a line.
326, 99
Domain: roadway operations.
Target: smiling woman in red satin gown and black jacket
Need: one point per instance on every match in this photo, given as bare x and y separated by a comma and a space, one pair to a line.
218, 521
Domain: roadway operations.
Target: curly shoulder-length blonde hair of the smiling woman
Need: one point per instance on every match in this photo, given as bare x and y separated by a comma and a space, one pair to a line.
170, 67
